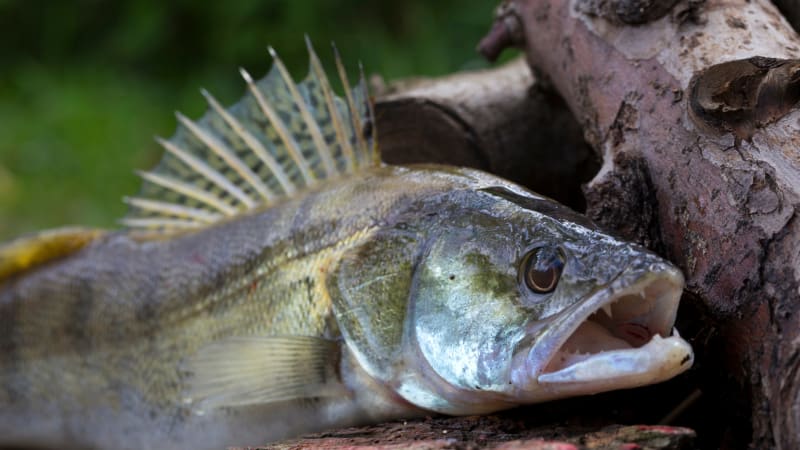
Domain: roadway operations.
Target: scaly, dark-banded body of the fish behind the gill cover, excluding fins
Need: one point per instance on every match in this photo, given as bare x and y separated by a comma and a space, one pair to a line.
118, 318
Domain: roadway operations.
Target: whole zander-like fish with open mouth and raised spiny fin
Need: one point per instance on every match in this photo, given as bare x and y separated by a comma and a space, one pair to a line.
273, 277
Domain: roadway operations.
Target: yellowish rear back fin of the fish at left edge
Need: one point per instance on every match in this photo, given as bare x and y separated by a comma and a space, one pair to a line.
34, 250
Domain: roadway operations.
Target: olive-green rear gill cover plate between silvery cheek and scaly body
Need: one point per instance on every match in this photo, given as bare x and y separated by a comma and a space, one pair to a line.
369, 291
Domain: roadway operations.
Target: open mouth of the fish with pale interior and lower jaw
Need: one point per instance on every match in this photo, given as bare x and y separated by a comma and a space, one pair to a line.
622, 340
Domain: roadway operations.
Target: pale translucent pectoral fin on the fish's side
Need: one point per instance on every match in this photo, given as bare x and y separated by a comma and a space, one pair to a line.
257, 370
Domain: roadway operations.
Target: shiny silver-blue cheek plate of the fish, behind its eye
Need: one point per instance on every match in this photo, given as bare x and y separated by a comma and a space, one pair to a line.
467, 318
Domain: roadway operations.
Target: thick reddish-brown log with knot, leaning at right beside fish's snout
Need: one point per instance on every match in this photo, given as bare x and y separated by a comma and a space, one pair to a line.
701, 161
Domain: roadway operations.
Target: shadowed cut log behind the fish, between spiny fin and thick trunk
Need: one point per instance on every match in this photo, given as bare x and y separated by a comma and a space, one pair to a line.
499, 120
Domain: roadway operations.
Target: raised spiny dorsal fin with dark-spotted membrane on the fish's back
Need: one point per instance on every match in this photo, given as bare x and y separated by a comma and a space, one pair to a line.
279, 139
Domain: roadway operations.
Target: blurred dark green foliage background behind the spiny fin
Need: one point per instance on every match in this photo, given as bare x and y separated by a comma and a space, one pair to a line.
85, 85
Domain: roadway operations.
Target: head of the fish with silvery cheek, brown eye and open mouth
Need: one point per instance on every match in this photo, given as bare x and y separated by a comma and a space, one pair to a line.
516, 299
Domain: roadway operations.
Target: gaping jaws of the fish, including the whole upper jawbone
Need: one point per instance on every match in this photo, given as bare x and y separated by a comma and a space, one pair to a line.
619, 337
